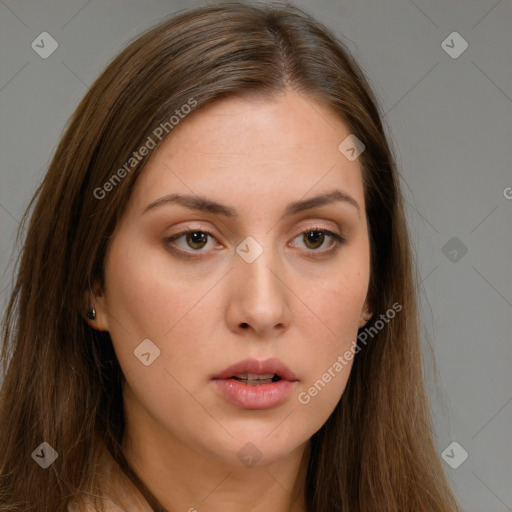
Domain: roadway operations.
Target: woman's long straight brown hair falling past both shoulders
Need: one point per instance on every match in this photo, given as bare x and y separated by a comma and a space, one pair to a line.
62, 382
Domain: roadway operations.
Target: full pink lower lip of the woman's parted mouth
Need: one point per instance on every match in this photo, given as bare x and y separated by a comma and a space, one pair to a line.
261, 396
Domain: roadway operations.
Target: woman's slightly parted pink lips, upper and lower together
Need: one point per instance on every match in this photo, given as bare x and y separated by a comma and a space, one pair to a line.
253, 384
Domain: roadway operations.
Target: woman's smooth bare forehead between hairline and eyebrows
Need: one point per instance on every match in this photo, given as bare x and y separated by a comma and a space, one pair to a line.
253, 150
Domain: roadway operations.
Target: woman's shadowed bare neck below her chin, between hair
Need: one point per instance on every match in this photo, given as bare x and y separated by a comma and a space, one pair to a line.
178, 478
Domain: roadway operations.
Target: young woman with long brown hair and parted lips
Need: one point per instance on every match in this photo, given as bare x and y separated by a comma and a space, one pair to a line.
215, 305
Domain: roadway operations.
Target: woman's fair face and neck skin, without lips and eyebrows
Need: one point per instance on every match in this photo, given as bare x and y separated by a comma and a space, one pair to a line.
254, 155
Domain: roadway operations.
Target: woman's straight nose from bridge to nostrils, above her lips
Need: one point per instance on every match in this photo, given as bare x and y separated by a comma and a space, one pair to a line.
259, 296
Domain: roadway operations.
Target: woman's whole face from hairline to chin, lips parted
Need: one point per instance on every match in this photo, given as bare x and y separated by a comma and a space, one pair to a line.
264, 274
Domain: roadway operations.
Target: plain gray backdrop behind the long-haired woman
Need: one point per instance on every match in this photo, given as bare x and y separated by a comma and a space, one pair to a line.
450, 123
